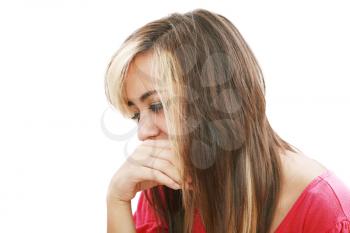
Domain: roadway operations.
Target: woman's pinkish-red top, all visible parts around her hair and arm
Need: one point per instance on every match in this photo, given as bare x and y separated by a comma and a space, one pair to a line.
323, 207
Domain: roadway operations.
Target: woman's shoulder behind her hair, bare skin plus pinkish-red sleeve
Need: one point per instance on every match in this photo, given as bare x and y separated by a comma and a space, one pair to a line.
321, 200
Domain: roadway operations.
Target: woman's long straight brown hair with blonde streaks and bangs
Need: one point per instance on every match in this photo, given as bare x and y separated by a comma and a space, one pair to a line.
214, 106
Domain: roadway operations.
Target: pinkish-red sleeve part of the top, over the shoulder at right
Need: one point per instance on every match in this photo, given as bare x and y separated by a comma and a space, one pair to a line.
324, 206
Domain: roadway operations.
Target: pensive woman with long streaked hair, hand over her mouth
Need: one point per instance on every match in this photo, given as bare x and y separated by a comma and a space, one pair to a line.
210, 161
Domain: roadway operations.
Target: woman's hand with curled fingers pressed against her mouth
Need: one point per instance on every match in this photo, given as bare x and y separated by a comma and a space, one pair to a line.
152, 163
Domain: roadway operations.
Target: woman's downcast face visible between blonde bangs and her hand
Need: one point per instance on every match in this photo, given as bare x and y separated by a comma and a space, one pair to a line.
143, 100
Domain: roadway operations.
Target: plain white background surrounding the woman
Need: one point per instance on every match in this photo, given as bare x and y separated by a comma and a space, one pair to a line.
56, 161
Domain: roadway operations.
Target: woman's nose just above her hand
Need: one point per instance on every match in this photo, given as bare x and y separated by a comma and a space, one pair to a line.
147, 127
